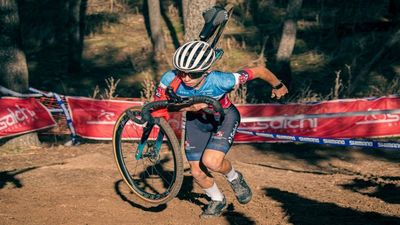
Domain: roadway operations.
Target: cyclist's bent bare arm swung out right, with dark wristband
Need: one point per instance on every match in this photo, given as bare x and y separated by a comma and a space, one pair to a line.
278, 88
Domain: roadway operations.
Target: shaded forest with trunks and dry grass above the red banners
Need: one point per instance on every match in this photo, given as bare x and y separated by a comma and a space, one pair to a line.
322, 49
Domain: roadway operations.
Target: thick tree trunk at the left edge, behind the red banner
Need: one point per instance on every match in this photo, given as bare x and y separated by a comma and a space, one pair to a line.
13, 66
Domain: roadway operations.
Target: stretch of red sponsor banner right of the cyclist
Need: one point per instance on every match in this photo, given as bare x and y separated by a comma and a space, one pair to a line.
384, 125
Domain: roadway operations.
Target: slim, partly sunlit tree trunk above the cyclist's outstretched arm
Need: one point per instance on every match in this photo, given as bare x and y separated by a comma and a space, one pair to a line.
288, 40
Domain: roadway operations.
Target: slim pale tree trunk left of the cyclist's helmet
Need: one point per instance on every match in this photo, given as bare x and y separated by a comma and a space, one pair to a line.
157, 37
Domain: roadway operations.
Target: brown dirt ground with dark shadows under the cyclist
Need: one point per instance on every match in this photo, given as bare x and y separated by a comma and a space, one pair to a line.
292, 184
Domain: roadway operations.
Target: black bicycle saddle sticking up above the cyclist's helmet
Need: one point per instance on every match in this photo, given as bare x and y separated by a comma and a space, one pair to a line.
215, 19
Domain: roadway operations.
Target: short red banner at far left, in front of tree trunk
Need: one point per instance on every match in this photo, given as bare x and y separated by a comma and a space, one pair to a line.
23, 115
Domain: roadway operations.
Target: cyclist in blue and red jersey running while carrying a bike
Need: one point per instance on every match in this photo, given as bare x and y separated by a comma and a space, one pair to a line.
207, 142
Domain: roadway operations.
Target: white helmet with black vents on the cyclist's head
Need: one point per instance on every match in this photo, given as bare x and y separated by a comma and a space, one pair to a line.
194, 56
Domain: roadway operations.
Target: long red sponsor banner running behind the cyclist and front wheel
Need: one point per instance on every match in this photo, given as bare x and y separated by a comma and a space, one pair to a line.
95, 119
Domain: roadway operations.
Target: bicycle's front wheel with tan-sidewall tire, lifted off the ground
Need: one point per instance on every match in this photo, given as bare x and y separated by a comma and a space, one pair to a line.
153, 188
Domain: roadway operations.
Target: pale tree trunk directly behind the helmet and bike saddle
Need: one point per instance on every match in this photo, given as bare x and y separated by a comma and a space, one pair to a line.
192, 17
